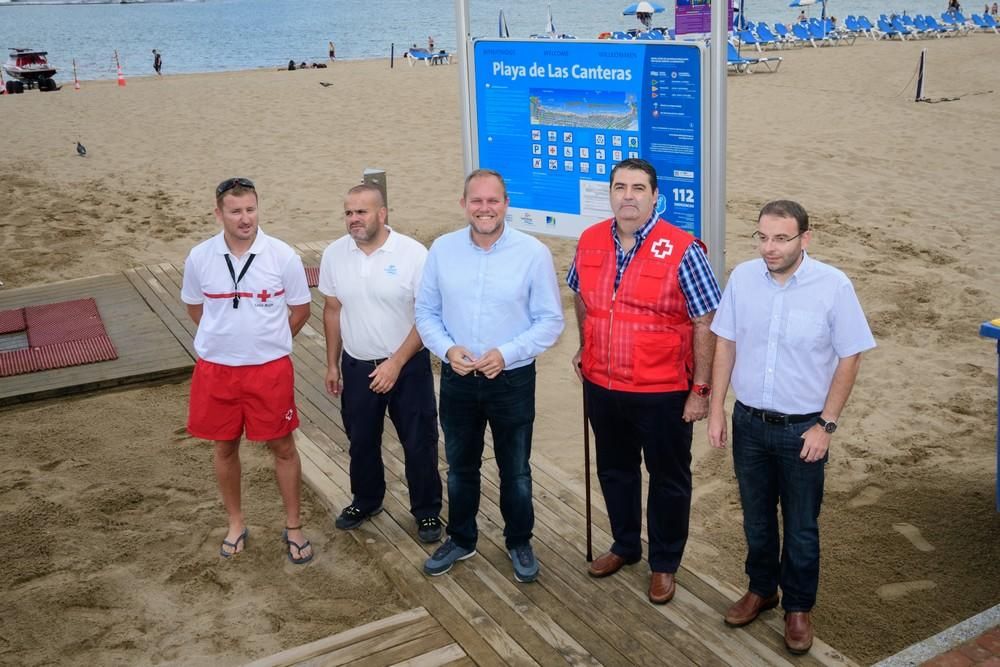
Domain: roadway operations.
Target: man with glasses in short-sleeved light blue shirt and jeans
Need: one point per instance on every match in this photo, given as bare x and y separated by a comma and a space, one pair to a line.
791, 334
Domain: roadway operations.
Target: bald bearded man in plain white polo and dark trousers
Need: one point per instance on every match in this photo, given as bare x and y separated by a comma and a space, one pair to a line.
376, 360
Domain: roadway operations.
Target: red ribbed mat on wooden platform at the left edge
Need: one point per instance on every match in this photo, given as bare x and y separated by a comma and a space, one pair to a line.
64, 334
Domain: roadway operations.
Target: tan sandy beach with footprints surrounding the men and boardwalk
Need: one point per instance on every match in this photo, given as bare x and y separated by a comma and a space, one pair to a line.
109, 516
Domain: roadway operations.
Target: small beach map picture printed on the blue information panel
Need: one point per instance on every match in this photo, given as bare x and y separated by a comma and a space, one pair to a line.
601, 109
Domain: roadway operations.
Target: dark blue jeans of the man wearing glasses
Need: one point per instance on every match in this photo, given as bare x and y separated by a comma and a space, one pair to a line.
769, 471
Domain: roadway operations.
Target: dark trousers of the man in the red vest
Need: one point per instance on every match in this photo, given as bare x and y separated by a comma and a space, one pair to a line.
630, 426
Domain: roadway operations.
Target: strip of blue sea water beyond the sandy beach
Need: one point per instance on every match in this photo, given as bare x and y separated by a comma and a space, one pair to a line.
219, 35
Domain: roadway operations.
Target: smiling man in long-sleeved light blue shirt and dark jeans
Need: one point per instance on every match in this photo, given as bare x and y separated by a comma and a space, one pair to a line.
488, 305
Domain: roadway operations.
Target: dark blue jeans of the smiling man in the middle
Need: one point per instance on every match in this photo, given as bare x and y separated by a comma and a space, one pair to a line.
507, 404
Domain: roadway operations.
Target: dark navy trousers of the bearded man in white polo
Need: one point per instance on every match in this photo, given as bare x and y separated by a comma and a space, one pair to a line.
411, 408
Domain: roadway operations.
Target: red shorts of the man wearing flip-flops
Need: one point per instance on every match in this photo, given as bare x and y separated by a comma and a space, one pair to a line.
226, 400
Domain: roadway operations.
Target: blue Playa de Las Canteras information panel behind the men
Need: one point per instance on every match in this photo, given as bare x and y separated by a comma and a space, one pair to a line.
554, 117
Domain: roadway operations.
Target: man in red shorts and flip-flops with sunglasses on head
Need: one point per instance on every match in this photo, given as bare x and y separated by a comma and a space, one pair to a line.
247, 293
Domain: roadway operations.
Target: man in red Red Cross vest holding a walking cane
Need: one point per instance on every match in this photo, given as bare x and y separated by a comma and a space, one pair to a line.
645, 297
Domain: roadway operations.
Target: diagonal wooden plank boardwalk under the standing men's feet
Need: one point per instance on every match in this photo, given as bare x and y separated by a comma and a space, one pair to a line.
566, 616
